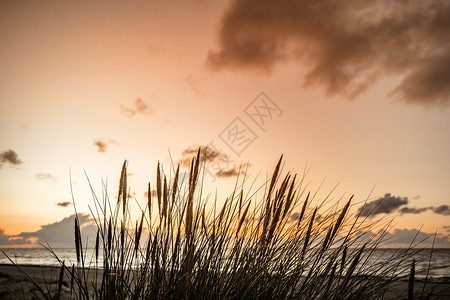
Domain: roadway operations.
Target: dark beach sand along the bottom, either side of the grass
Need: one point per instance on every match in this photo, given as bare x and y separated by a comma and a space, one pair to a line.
13, 284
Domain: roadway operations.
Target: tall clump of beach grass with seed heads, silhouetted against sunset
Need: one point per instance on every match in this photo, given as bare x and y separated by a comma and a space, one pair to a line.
184, 245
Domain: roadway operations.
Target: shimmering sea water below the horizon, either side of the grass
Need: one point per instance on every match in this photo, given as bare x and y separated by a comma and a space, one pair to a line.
439, 265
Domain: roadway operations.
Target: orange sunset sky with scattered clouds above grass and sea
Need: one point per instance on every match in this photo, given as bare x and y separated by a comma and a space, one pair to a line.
355, 92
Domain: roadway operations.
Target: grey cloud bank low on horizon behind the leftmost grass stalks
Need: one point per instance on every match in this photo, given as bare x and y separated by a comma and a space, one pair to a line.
61, 234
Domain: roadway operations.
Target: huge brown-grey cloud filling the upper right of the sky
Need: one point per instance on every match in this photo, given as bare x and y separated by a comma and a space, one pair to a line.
343, 46
